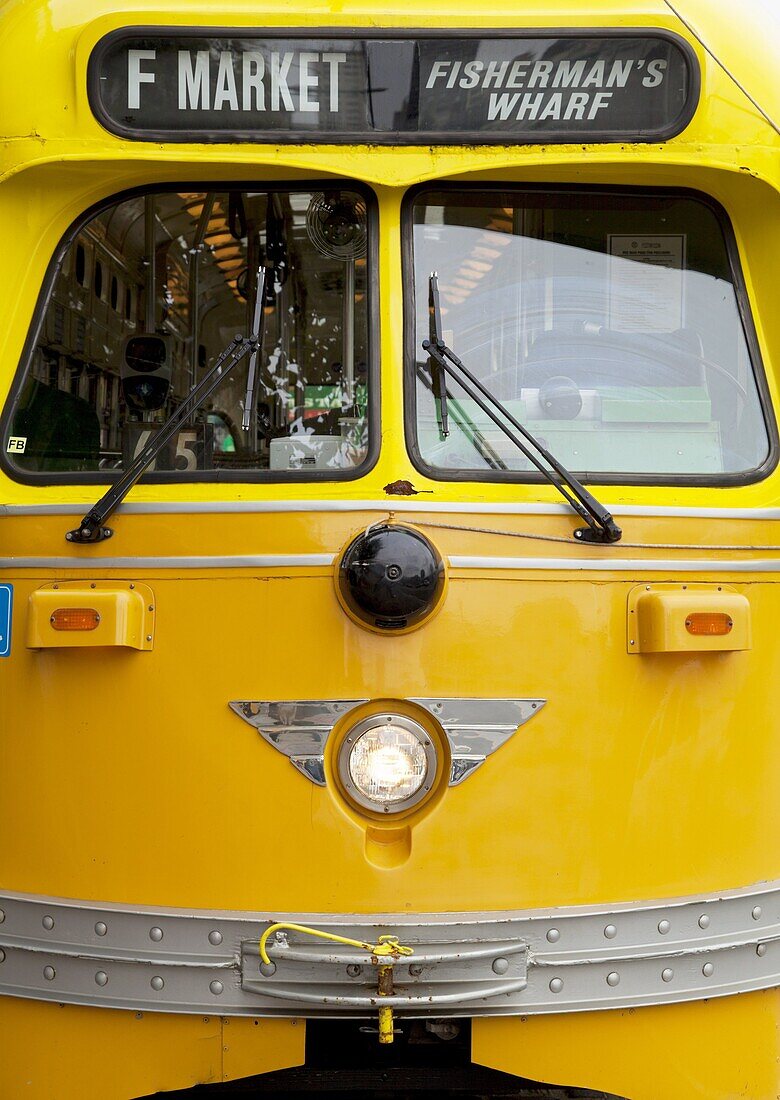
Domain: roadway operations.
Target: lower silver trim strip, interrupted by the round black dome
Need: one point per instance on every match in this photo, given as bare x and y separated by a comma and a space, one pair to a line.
638, 566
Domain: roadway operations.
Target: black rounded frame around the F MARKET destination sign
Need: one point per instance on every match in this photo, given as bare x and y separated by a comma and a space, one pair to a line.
390, 138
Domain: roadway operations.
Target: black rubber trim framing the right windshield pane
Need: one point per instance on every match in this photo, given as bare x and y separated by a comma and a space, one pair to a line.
438, 475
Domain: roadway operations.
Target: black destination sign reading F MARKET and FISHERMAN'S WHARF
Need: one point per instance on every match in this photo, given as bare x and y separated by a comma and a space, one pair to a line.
393, 87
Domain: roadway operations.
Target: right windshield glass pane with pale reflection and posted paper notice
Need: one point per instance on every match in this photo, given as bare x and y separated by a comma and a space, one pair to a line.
608, 324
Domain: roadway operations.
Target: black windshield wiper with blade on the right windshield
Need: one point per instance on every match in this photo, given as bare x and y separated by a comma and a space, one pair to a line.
601, 526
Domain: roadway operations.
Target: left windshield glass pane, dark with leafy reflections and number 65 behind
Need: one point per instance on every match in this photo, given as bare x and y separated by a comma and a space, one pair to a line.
148, 295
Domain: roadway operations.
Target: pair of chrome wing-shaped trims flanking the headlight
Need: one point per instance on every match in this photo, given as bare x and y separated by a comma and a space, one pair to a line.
475, 728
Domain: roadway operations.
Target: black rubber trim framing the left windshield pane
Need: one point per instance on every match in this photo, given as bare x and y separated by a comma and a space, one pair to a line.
229, 477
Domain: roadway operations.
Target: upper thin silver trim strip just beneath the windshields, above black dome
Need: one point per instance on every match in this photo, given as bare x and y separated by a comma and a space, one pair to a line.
392, 504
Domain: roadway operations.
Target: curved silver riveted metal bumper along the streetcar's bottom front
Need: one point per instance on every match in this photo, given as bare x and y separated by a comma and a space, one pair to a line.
580, 959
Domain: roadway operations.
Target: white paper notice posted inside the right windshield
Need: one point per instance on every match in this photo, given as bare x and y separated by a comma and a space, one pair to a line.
646, 282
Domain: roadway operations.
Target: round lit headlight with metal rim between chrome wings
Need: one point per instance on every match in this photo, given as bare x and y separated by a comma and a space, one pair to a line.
388, 763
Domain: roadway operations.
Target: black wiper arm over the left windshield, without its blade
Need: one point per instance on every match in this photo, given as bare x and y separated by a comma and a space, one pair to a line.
92, 529
